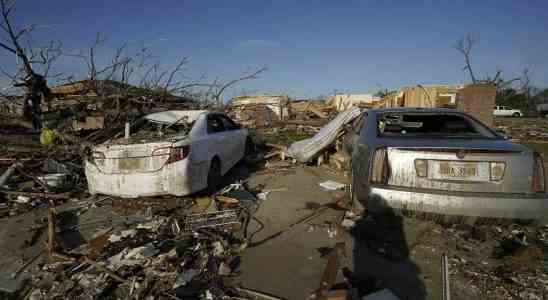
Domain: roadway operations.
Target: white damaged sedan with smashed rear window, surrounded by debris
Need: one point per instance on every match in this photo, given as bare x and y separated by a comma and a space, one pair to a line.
168, 153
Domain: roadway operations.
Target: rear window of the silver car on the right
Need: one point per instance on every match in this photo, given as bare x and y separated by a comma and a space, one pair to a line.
430, 125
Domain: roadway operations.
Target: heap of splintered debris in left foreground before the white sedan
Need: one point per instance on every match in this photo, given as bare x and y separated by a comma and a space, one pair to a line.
177, 255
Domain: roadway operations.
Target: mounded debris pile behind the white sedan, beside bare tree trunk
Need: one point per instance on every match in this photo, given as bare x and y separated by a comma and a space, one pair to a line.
85, 105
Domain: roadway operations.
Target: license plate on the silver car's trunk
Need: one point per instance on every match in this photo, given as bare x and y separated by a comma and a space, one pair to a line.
455, 170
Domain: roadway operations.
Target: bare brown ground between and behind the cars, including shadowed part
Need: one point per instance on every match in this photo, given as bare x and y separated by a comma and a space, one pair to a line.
290, 265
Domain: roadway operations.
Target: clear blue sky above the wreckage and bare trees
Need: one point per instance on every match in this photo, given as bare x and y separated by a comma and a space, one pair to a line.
310, 47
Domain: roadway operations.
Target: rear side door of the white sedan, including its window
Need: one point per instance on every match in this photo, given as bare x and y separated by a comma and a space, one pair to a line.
219, 139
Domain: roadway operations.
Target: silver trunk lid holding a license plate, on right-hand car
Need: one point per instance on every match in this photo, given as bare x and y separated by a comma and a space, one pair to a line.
464, 168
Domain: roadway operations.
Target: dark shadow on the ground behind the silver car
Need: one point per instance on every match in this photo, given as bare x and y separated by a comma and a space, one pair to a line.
381, 258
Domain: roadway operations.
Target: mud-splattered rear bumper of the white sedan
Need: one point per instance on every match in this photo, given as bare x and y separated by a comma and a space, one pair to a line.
173, 179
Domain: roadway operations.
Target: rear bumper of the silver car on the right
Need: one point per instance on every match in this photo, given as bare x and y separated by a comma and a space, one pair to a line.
496, 205
